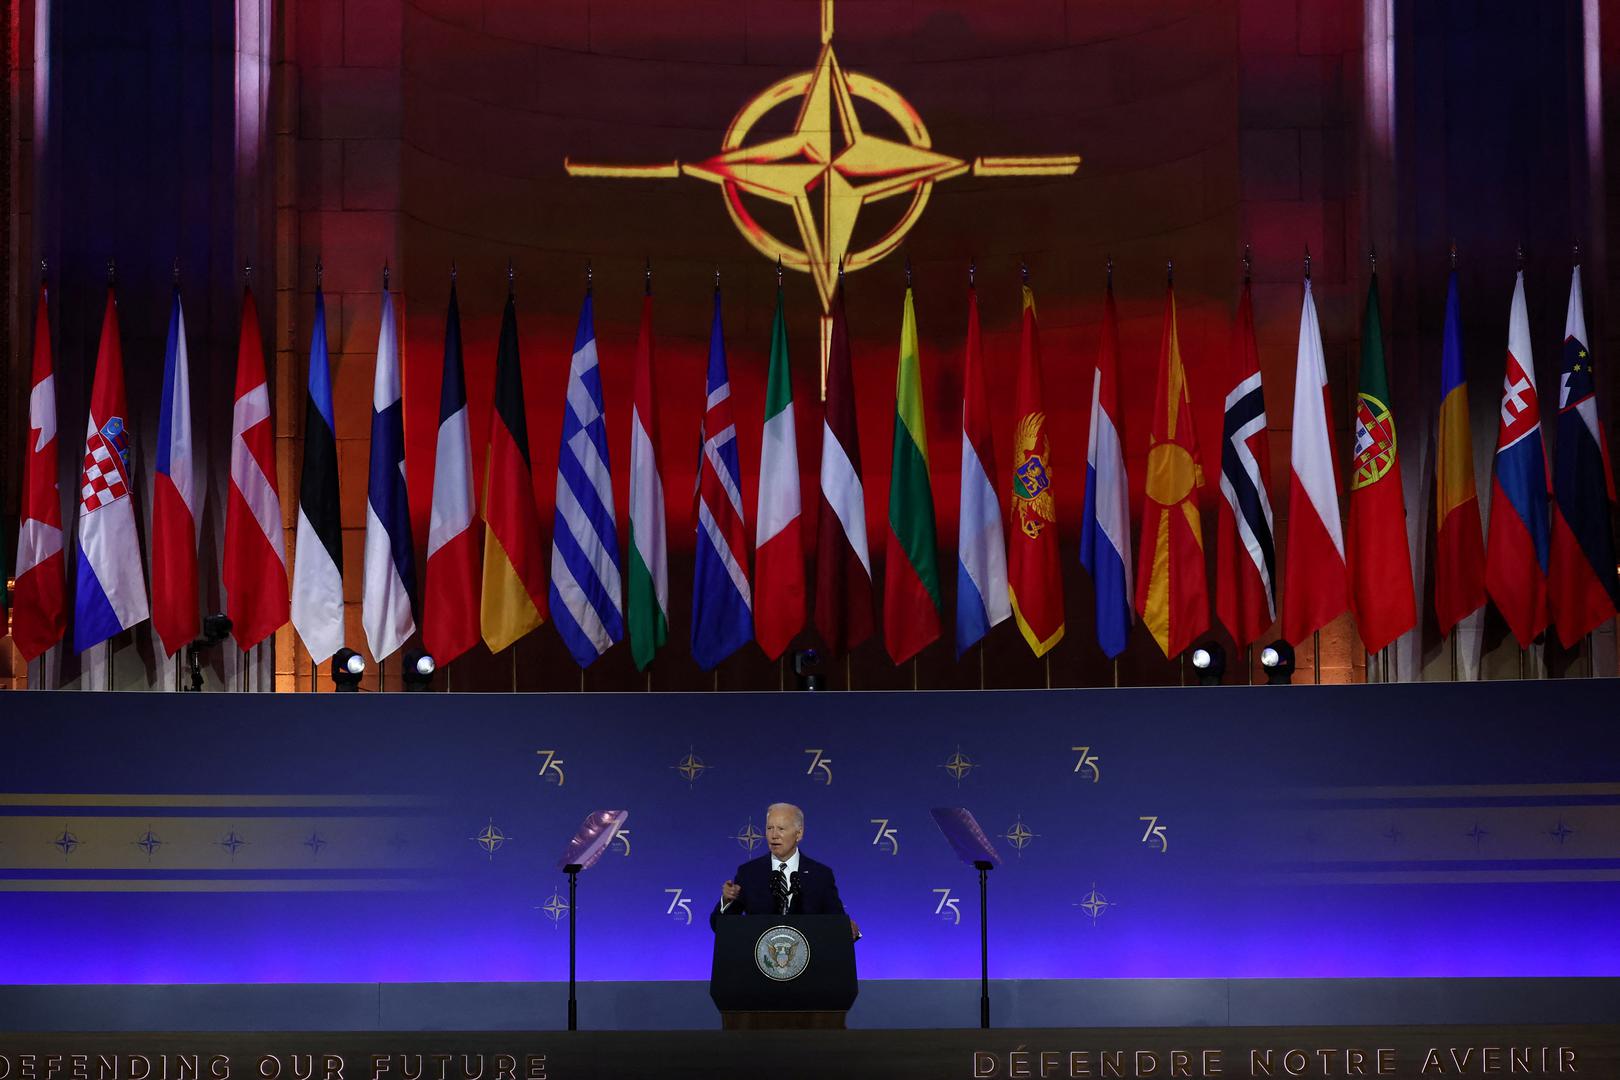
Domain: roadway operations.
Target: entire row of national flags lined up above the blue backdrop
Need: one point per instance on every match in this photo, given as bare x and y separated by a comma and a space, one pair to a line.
1548, 556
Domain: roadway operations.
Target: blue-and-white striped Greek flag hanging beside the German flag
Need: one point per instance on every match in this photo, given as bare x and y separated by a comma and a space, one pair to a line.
587, 585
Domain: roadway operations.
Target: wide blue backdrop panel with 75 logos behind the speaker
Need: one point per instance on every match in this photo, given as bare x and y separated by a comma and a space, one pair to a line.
1336, 831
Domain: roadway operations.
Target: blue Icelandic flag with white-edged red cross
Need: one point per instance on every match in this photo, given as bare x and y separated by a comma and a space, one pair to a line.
722, 600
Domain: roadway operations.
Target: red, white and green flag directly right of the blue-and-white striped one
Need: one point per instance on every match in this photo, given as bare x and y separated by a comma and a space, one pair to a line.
649, 602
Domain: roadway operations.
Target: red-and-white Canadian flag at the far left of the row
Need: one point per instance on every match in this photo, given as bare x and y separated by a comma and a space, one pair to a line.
40, 610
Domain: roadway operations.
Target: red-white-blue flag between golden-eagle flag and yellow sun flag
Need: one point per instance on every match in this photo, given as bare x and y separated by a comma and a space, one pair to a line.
1106, 522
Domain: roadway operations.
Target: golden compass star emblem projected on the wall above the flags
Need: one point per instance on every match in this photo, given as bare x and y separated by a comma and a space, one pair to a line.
830, 168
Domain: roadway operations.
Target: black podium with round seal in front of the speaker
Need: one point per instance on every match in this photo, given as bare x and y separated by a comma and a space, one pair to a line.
783, 972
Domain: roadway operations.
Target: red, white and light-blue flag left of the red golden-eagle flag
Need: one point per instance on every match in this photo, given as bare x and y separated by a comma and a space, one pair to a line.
981, 546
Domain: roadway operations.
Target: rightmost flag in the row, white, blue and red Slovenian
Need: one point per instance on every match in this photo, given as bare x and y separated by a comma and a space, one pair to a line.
1582, 590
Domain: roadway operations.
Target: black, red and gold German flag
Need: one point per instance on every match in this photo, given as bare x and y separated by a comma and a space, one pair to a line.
516, 580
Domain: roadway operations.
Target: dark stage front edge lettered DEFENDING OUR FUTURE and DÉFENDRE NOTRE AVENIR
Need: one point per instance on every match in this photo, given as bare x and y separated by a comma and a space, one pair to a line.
1093, 1053
